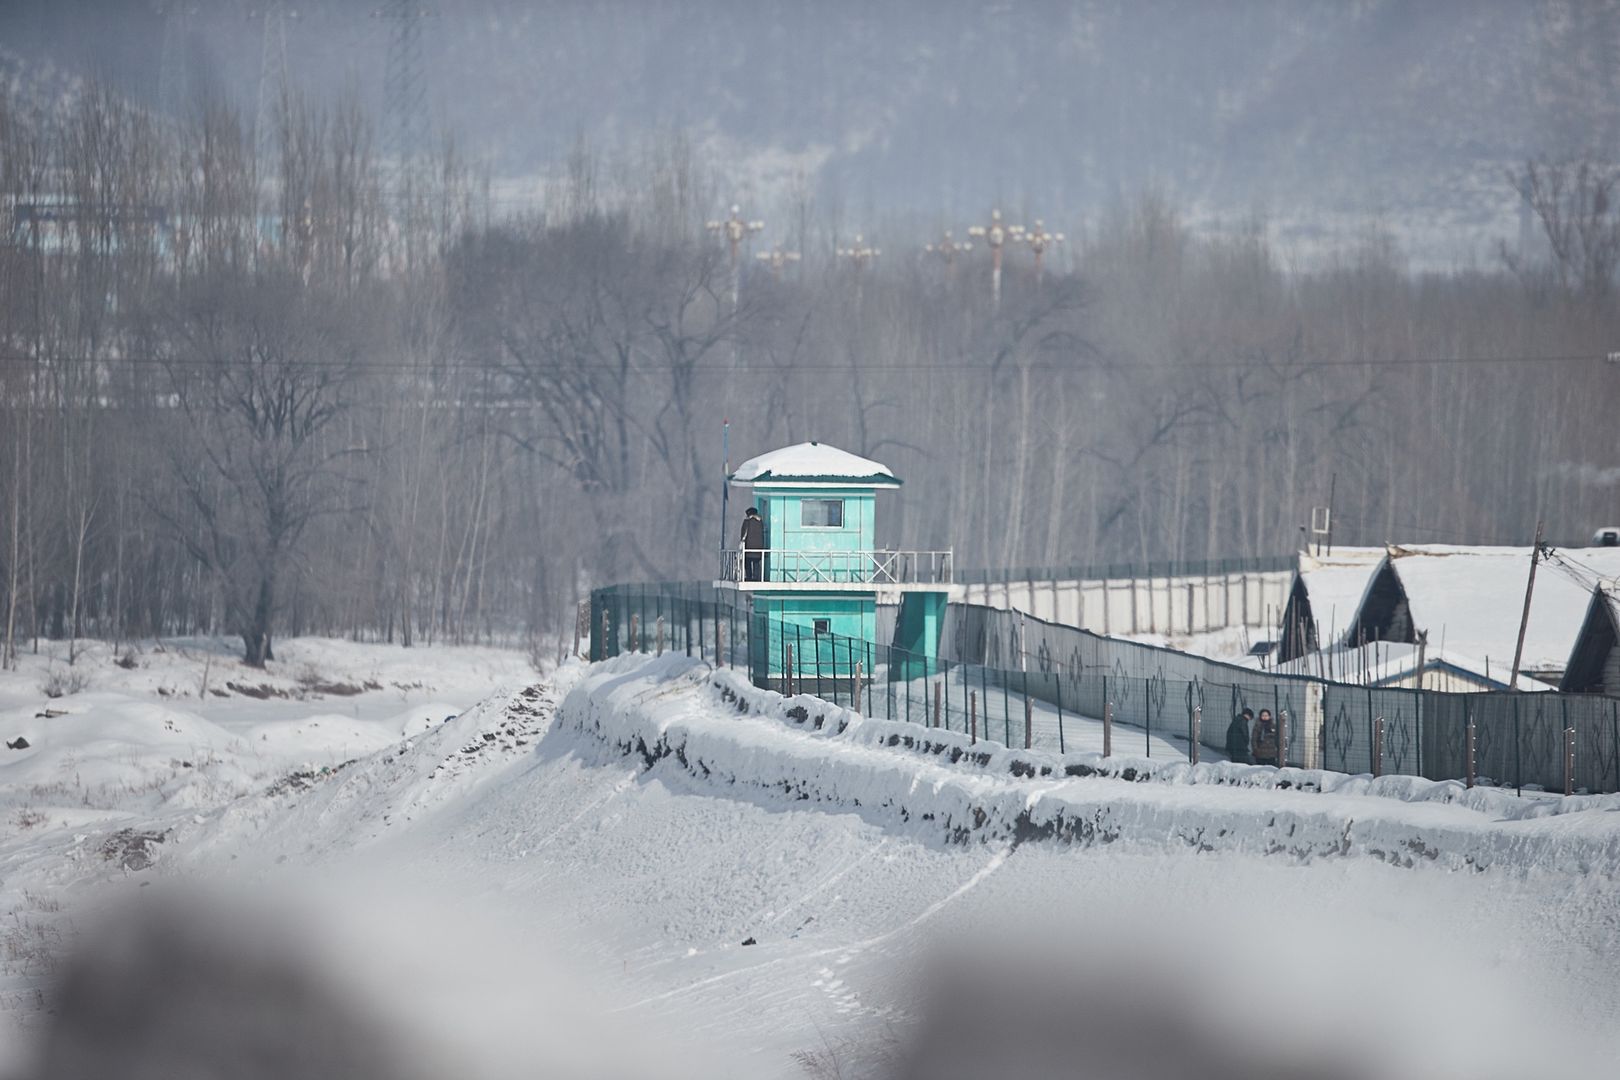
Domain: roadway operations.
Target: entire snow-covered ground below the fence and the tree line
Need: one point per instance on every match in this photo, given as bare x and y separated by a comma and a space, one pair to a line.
650, 869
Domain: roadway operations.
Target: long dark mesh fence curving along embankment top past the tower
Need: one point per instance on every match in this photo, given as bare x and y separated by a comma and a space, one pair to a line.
1017, 681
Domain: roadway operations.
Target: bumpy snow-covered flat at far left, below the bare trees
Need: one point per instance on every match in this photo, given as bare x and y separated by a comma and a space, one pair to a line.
130, 760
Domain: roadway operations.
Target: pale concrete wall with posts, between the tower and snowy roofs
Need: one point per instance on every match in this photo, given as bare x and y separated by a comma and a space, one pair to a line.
1170, 606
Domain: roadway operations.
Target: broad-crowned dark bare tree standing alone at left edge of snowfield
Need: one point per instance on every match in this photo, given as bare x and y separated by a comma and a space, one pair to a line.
262, 370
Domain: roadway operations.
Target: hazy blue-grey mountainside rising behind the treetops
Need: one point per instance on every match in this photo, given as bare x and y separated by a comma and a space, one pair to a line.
1318, 114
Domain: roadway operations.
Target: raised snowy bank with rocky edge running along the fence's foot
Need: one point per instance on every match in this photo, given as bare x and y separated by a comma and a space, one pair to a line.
720, 733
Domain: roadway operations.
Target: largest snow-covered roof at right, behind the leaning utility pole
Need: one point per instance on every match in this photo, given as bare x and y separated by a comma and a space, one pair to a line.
1470, 600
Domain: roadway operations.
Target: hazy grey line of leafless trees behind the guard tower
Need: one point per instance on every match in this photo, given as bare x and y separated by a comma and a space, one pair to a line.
328, 393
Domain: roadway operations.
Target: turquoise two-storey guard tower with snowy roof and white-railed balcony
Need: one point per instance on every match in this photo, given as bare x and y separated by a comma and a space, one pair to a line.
822, 576
